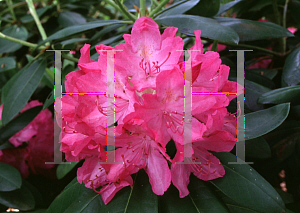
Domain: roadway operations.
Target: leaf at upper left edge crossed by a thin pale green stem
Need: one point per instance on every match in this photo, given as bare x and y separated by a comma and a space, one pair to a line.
15, 32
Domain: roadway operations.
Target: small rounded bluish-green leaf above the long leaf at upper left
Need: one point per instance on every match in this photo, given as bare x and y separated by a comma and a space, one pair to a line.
68, 18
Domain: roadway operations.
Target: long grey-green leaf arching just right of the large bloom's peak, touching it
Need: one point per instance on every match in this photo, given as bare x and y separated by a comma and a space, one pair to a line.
210, 28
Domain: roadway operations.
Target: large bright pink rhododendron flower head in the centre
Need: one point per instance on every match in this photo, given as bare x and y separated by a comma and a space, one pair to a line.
149, 107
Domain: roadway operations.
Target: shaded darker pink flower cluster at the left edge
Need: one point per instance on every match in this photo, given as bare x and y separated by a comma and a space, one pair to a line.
33, 145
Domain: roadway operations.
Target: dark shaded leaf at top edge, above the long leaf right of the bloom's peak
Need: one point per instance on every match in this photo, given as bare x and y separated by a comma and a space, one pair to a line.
207, 8
